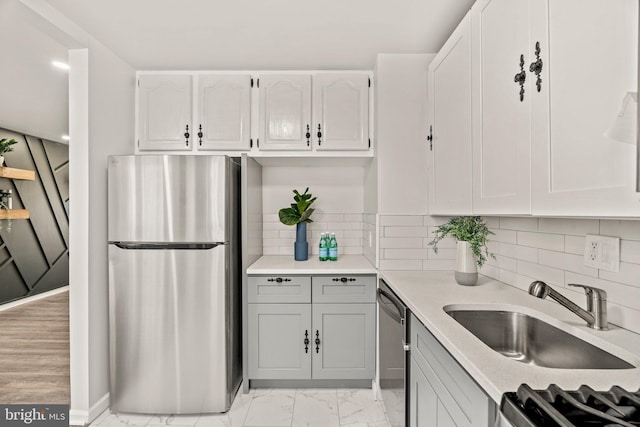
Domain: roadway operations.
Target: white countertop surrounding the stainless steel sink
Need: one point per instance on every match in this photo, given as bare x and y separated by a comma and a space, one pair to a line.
427, 292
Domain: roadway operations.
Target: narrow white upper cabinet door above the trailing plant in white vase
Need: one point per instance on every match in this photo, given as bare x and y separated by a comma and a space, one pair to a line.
449, 116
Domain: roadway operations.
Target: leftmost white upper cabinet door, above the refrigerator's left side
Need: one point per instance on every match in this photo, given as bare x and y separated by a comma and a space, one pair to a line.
165, 112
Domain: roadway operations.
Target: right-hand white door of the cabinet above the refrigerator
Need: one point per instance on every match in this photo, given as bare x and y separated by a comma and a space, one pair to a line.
224, 112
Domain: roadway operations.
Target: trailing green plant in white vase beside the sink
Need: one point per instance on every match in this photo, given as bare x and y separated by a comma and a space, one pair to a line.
471, 233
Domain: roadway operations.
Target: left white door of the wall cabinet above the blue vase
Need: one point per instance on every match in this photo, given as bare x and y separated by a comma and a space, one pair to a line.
285, 112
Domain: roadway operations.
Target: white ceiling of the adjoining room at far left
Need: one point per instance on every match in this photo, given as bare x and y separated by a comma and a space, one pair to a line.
34, 94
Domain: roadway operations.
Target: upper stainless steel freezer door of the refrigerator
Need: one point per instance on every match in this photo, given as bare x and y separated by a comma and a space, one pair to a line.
170, 198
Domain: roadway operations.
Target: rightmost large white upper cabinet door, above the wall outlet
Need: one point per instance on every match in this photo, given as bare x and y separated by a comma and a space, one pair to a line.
583, 158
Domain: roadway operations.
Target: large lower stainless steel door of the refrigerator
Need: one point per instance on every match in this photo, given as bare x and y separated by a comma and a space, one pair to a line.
171, 331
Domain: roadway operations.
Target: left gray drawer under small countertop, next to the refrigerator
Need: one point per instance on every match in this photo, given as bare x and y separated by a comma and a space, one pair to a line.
278, 289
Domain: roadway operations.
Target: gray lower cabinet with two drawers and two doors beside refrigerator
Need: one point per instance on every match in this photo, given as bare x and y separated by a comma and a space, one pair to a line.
294, 336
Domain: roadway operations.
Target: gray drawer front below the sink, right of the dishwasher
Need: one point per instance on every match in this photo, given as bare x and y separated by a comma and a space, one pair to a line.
464, 399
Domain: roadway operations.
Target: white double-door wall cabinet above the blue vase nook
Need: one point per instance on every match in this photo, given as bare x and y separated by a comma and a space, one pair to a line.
336, 120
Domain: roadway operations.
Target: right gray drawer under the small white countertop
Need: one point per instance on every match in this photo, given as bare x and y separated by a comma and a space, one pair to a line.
344, 289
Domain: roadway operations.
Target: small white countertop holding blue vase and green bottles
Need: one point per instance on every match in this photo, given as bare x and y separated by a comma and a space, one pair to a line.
285, 264
